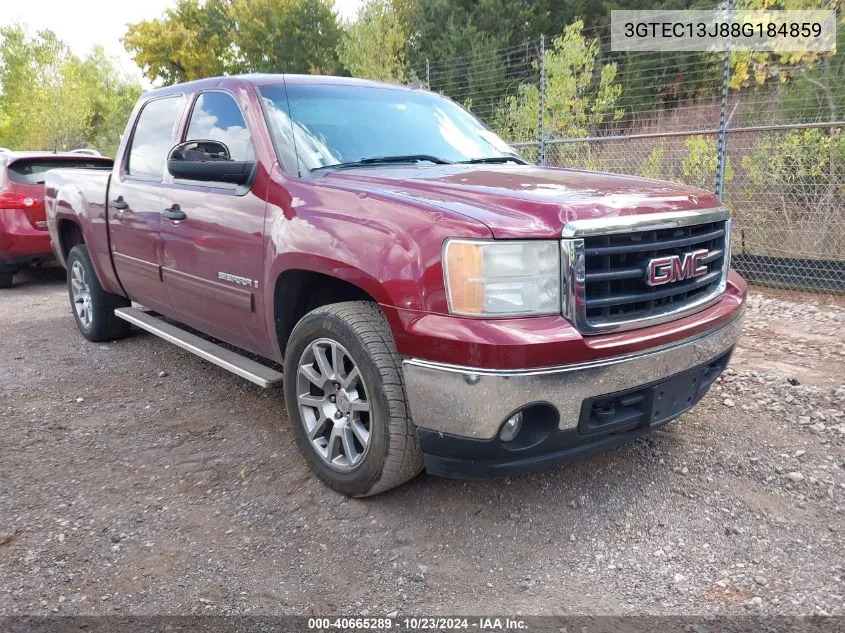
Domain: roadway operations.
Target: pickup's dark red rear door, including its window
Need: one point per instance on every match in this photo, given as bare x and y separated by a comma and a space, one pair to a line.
135, 202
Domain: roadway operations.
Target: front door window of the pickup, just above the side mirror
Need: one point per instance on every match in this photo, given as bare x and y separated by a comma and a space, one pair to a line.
217, 117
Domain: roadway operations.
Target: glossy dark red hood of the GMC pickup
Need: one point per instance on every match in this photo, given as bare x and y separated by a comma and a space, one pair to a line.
524, 201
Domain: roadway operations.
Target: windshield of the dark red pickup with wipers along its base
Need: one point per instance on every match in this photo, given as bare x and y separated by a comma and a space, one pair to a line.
335, 124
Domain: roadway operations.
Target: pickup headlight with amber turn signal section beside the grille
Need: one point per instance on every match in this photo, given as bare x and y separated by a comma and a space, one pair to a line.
502, 278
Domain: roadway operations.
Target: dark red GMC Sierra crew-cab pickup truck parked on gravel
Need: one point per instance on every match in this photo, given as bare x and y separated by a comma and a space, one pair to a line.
435, 301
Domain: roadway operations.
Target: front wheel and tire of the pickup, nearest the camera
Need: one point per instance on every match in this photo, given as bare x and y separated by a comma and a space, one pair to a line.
345, 396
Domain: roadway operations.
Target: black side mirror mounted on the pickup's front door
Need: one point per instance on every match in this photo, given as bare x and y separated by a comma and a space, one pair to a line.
207, 161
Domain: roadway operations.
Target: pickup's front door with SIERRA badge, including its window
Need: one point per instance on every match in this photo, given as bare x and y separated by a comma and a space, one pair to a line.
212, 258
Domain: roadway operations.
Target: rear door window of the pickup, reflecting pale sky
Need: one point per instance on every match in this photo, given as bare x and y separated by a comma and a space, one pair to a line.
153, 138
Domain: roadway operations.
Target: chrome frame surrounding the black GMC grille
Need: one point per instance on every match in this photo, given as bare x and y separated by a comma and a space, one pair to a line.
573, 272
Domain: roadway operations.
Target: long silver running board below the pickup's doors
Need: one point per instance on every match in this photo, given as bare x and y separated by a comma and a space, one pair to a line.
257, 373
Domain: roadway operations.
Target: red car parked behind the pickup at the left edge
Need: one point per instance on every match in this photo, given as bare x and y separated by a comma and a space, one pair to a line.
24, 239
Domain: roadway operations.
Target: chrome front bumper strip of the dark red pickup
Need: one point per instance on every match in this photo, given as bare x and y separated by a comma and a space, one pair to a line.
474, 403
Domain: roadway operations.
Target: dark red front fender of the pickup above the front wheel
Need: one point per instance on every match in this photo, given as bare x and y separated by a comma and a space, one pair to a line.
389, 248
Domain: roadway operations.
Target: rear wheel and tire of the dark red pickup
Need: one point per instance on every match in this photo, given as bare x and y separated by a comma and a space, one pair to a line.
93, 308
